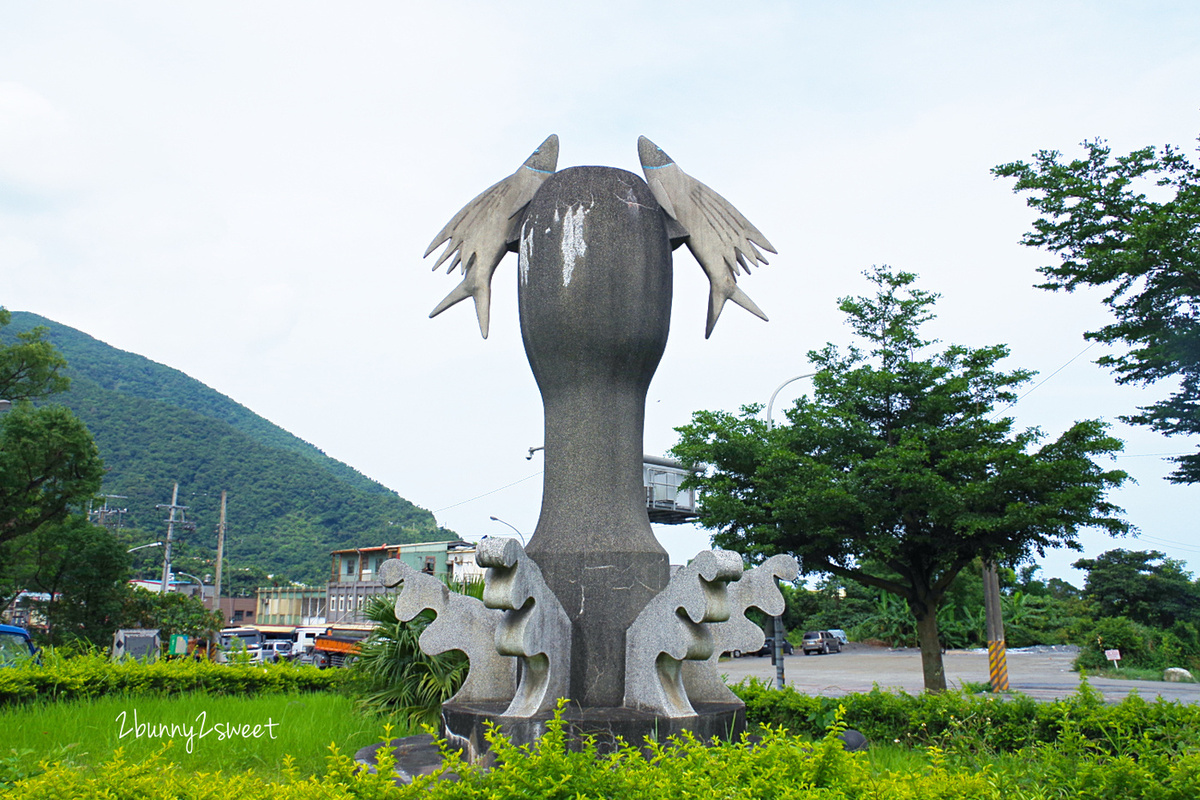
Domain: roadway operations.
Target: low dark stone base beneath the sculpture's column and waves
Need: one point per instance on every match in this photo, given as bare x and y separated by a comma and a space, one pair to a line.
464, 725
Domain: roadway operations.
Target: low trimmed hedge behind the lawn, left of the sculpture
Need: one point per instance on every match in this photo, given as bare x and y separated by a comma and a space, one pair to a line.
94, 676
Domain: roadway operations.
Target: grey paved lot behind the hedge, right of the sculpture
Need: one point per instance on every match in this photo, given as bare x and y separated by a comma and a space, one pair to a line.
1040, 673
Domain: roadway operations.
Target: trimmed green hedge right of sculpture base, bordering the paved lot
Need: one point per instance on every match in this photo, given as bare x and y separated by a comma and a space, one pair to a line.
981, 723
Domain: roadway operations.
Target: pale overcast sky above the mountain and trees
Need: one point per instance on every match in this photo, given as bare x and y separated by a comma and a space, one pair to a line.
244, 193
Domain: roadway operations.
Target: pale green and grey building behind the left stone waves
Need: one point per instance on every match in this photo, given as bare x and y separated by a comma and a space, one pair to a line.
355, 574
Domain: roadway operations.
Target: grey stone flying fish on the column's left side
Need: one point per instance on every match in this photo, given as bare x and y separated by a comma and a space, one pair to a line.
478, 234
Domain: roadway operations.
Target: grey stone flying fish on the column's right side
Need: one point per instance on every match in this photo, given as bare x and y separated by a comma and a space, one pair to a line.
718, 236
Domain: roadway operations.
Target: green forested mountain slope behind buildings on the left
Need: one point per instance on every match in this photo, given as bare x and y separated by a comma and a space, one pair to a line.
289, 503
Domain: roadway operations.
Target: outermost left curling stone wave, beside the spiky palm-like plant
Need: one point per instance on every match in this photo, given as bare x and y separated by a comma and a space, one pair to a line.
463, 624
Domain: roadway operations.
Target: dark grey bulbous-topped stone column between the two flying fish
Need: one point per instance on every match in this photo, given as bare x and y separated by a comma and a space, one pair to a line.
595, 291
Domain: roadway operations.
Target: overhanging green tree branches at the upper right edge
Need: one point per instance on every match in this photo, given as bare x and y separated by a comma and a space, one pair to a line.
1100, 218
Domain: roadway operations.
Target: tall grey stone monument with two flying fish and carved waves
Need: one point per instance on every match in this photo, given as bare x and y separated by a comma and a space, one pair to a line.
595, 293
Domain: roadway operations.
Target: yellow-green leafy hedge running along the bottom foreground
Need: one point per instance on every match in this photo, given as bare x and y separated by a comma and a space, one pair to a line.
773, 765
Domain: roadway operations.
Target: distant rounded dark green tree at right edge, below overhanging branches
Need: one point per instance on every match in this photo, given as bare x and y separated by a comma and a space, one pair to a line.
1143, 586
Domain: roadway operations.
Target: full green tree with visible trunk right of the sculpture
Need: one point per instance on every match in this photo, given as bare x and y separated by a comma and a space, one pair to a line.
901, 461
